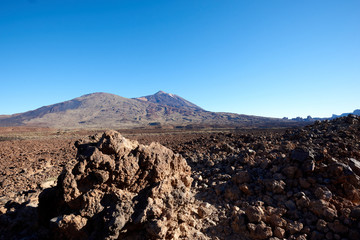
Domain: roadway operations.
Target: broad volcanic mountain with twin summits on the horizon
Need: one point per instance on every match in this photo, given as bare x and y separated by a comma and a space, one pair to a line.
105, 110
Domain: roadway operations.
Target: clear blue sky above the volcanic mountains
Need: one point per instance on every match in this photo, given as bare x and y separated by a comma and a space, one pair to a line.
271, 58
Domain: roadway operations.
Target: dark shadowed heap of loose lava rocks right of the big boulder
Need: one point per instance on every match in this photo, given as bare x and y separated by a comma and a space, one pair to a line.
303, 184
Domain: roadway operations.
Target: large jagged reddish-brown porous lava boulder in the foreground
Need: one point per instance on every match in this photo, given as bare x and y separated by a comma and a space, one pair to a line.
120, 189
